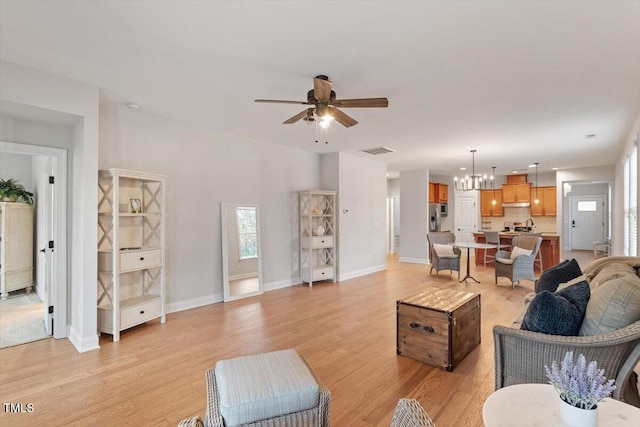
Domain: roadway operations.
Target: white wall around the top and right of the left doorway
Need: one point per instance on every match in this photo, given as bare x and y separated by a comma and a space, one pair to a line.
33, 88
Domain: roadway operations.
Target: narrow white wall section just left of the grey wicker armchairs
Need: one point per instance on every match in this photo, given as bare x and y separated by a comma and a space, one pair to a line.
414, 214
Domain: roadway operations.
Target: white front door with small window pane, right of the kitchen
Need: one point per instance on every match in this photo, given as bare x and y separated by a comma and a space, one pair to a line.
587, 221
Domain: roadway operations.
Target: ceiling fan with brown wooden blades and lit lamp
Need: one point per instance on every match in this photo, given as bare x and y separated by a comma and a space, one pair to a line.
325, 104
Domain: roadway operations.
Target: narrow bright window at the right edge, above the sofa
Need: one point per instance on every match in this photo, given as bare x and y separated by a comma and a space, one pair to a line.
631, 204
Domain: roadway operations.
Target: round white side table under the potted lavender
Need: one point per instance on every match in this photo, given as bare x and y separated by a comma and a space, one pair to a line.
529, 405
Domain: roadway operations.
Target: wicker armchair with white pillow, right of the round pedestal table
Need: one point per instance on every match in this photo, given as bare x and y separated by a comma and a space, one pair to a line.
522, 266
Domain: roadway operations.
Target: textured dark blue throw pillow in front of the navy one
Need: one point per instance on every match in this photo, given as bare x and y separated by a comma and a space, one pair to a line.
560, 313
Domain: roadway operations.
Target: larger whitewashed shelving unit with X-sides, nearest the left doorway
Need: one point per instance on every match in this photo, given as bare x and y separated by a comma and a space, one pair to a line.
131, 243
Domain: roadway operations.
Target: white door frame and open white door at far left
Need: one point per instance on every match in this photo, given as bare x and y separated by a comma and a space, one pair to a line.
49, 171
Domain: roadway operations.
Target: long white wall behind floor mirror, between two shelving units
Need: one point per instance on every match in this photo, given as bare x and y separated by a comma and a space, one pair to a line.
206, 168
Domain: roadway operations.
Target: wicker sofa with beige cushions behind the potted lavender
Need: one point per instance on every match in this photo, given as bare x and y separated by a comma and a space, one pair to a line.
520, 355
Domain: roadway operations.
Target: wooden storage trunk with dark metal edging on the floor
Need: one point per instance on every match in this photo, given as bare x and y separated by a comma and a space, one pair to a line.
438, 327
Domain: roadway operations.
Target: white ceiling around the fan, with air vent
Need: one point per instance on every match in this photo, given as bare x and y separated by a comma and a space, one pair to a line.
521, 82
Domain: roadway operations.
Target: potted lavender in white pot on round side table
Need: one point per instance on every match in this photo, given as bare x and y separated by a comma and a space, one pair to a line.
580, 386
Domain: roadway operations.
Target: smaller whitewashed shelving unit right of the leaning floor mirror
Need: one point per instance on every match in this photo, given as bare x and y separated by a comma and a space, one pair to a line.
318, 233
